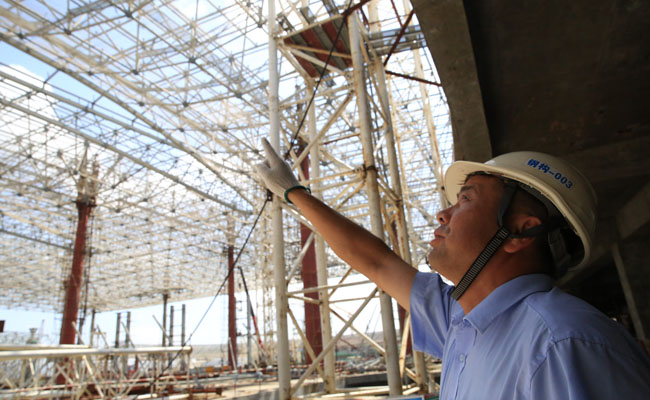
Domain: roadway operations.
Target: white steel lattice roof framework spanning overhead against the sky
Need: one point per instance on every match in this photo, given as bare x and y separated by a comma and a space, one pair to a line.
170, 100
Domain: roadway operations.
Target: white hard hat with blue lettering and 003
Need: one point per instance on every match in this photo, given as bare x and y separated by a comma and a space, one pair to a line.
560, 183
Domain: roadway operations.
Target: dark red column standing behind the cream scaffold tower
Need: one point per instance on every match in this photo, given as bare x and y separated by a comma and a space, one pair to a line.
313, 329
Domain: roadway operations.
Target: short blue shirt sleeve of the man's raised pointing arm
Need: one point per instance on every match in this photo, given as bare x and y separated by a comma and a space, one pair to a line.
430, 313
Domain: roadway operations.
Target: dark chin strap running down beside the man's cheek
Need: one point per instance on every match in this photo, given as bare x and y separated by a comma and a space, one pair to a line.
493, 245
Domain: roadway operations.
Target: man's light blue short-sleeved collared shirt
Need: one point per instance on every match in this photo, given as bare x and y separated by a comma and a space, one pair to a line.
526, 340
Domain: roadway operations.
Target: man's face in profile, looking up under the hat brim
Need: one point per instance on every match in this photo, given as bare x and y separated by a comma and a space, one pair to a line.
466, 227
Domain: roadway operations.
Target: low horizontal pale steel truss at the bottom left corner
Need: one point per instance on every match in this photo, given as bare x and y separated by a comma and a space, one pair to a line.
77, 373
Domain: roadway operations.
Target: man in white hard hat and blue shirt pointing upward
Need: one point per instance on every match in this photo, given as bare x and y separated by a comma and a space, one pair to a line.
503, 331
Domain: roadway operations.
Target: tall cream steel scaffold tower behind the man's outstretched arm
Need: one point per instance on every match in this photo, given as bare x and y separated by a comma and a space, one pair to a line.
380, 165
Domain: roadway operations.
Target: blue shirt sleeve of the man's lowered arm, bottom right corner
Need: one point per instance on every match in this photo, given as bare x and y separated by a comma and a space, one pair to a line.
577, 369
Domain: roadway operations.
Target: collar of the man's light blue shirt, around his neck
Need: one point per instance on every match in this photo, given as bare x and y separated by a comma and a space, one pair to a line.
506, 296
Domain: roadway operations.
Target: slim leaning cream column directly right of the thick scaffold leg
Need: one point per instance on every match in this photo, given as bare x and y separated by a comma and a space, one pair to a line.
396, 181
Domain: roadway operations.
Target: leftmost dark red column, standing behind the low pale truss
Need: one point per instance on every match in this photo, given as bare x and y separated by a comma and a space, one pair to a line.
73, 284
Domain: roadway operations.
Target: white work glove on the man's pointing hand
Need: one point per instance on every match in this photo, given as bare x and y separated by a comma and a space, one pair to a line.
276, 174
